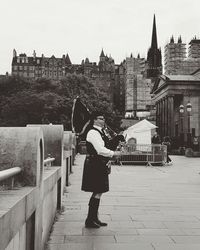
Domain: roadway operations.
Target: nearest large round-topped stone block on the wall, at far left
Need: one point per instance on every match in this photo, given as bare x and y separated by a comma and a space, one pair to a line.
24, 148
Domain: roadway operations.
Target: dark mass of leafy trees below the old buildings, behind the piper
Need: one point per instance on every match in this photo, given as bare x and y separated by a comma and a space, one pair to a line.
43, 101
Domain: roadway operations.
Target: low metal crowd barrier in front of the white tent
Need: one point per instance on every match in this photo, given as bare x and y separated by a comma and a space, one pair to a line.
144, 153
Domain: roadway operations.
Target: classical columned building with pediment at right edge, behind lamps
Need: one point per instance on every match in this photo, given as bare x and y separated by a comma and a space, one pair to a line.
177, 99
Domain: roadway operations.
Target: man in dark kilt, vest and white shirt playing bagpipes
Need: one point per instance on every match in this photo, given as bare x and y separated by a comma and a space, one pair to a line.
95, 172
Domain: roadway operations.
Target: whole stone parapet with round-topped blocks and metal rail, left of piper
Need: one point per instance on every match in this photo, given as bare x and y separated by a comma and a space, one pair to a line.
29, 200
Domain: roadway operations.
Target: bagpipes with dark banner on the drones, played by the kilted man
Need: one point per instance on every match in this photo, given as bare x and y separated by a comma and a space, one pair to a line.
81, 124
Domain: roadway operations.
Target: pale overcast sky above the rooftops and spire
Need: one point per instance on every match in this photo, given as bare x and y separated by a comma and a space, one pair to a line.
82, 28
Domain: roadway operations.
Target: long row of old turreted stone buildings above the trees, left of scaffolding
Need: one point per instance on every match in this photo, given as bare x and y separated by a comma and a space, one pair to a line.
105, 74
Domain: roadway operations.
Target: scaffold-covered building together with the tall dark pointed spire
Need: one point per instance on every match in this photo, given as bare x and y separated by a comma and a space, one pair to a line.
140, 75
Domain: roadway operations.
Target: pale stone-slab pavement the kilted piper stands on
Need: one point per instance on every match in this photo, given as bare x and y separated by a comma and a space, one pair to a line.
146, 208
